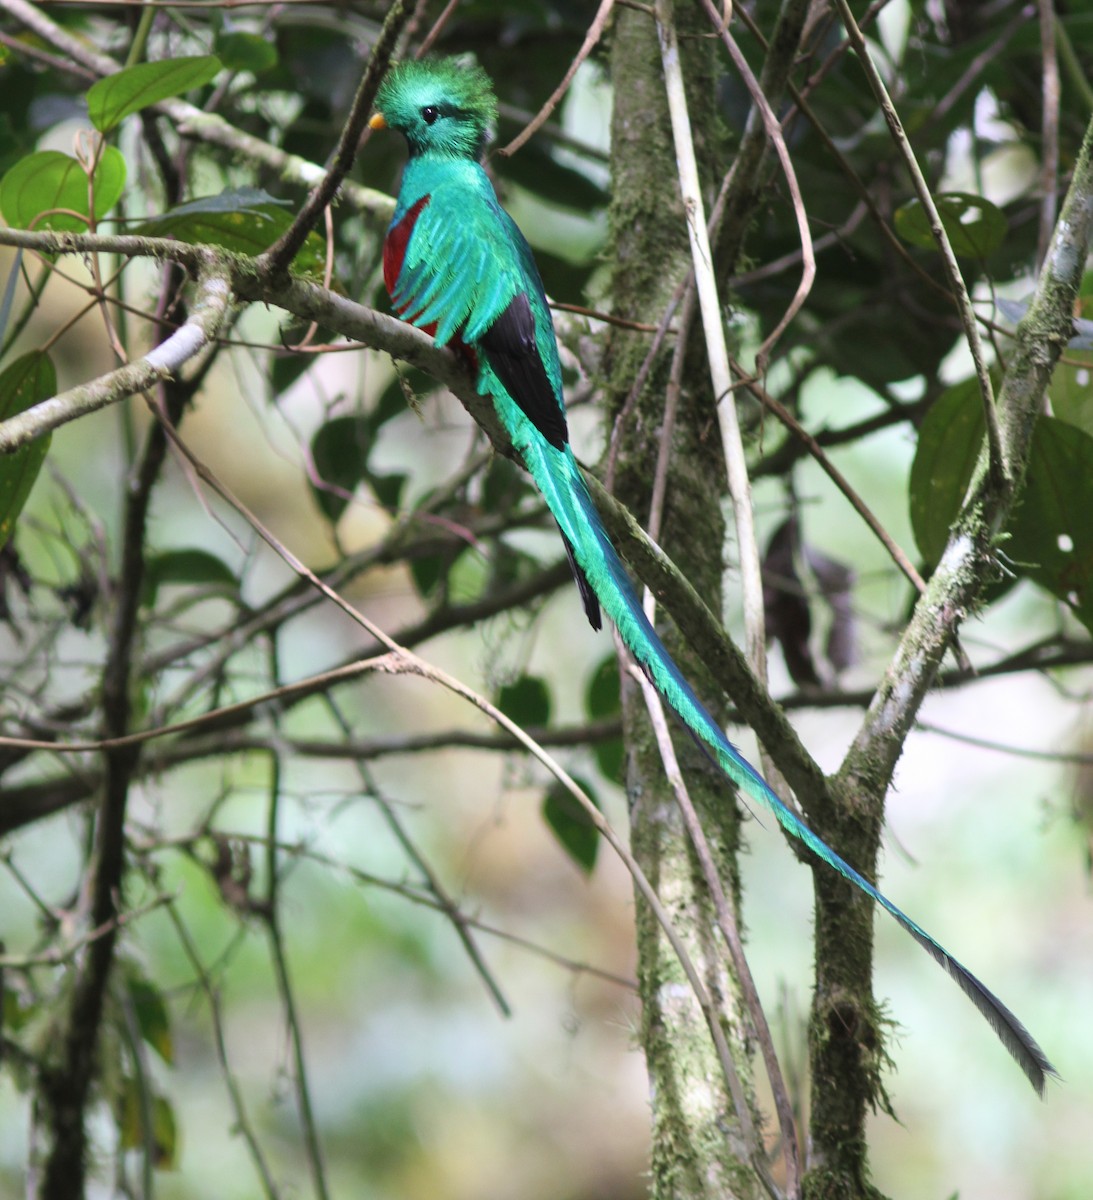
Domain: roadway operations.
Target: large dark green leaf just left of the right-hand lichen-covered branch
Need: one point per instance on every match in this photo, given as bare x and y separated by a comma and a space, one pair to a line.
951, 440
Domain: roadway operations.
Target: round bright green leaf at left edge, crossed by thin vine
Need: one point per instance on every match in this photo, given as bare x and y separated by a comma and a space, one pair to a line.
50, 181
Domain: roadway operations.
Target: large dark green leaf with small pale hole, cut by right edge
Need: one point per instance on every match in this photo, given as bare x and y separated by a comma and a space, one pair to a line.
1052, 535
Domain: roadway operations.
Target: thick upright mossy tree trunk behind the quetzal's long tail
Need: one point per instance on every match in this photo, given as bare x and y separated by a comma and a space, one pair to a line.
698, 1147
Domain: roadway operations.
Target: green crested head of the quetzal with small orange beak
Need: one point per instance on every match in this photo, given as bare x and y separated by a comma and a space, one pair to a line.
441, 106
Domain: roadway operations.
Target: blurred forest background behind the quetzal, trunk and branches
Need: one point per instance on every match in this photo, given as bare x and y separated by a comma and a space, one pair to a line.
311, 1000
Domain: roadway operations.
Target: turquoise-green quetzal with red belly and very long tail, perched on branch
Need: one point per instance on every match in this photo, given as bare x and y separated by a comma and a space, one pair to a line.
457, 266
